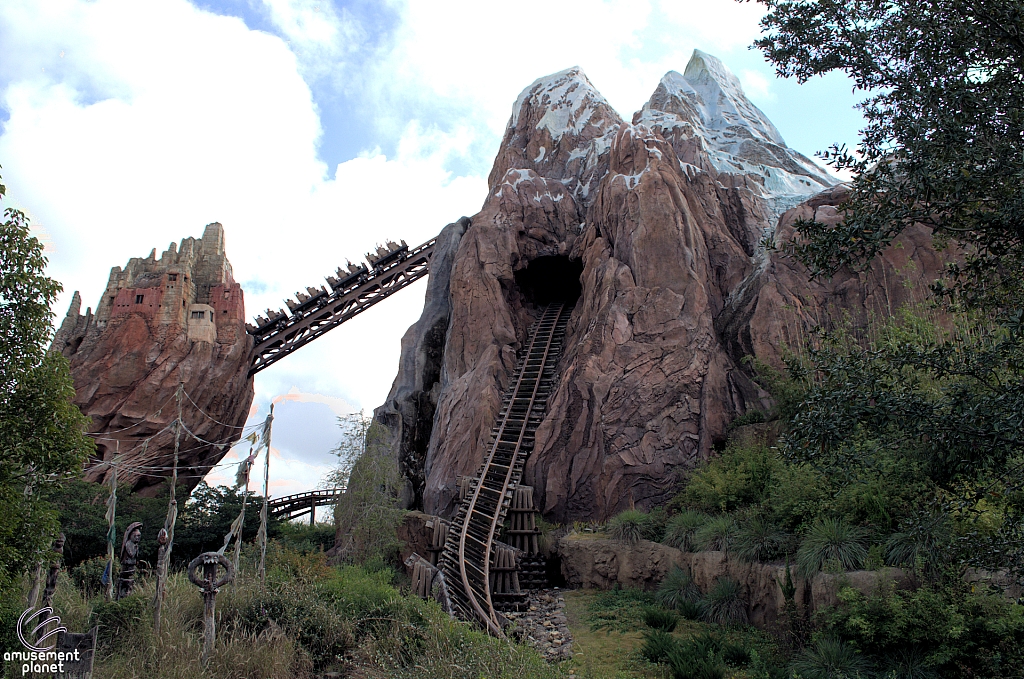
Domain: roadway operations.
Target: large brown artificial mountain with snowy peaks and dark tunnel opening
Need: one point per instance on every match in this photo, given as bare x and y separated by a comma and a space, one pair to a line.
656, 232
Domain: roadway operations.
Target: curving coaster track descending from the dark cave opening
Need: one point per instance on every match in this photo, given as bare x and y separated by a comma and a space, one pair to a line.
467, 554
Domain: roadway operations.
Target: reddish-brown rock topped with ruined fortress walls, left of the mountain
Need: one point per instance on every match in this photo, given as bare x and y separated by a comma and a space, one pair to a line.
180, 319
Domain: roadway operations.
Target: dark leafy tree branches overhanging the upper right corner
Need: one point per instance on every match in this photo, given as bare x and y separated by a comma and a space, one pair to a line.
945, 140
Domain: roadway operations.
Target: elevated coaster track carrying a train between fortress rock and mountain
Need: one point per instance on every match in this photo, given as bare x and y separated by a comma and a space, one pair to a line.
326, 311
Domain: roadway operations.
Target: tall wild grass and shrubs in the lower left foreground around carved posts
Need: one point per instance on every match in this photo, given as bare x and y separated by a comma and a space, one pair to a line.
310, 619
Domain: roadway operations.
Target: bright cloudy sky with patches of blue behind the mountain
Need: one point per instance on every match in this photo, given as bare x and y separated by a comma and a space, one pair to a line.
313, 130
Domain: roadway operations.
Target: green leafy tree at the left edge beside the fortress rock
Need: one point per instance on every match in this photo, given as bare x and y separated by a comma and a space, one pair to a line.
42, 434
